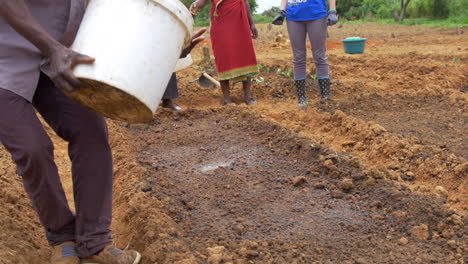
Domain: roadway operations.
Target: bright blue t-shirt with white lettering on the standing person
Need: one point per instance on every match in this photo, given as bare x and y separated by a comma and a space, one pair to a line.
304, 10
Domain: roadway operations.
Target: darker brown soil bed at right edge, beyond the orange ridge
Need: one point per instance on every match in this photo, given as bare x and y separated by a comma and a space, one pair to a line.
407, 116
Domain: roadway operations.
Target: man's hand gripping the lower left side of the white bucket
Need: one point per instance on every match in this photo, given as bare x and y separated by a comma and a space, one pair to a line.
61, 62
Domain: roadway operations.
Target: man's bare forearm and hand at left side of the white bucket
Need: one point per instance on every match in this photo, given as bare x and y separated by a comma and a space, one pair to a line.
62, 60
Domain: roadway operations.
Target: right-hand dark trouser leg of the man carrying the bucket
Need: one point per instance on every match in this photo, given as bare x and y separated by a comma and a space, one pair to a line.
91, 159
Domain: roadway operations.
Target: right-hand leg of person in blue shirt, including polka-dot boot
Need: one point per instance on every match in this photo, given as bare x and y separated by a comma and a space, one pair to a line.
317, 30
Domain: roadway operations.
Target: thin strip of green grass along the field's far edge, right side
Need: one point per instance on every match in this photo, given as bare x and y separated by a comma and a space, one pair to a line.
450, 22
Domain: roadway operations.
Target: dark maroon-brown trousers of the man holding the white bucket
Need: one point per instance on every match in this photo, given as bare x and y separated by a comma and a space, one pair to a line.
31, 149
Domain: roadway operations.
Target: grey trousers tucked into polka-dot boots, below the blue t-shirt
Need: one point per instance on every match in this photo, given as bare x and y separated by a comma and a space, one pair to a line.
317, 31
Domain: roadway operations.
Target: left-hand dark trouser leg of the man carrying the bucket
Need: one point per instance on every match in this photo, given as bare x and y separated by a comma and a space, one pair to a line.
31, 149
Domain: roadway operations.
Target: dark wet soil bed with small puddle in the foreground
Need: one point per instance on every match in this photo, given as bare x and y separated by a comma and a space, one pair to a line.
231, 179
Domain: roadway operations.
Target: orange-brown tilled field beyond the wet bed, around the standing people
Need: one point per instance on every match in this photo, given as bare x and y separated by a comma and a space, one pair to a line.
402, 104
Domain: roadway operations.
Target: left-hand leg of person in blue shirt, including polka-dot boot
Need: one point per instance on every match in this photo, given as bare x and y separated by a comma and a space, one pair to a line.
297, 34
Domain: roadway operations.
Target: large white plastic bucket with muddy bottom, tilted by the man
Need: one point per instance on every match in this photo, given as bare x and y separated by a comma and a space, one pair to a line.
136, 44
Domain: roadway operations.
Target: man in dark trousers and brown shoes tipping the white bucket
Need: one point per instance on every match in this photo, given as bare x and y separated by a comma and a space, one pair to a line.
34, 38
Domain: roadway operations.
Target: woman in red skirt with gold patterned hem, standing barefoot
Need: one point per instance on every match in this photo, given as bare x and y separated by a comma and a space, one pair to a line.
232, 30
